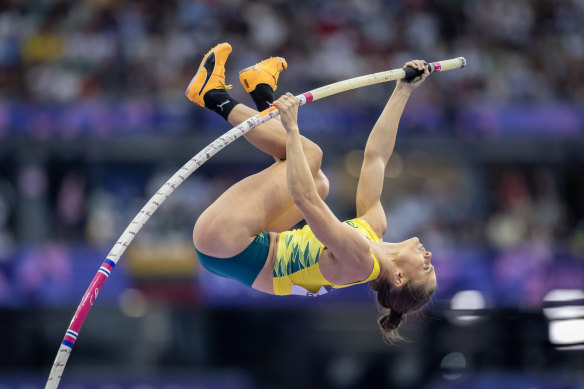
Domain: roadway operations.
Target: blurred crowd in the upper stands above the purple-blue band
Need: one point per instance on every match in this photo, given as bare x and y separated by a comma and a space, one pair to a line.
64, 50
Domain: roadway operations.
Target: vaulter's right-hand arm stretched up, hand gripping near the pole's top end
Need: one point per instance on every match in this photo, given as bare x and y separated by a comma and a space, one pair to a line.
379, 149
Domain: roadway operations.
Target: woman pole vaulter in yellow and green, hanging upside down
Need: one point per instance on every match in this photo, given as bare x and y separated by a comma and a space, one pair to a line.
245, 234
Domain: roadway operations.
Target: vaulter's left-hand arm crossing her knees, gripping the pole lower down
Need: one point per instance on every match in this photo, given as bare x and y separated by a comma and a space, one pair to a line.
345, 243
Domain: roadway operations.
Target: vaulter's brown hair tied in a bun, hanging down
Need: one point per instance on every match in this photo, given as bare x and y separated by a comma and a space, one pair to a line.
398, 301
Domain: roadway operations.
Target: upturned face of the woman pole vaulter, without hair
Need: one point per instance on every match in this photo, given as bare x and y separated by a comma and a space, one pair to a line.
415, 263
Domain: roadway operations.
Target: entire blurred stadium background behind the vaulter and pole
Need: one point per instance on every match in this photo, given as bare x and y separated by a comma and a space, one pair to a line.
488, 172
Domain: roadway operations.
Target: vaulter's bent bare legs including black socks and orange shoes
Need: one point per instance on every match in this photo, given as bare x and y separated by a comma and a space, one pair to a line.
261, 201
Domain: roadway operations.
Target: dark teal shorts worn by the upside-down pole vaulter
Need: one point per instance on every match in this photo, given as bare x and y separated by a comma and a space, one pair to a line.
245, 266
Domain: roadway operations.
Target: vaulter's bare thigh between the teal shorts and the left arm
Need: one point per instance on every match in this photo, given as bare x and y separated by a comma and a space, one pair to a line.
243, 211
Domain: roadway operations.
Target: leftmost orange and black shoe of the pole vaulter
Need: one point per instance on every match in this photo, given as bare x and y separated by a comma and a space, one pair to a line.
211, 74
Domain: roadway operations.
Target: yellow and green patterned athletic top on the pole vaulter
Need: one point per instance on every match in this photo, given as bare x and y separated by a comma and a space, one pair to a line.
296, 268
